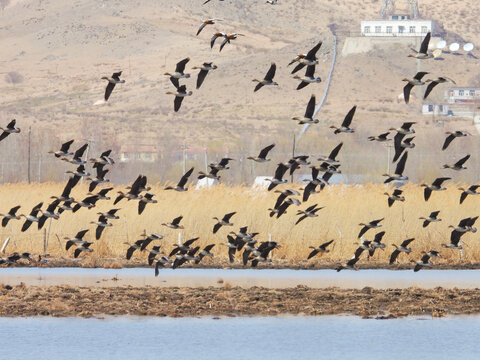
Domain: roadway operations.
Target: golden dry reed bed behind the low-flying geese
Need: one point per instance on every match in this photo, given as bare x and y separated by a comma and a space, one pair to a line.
345, 207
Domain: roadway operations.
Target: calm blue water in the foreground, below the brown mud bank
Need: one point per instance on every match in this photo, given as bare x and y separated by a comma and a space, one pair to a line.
333, 337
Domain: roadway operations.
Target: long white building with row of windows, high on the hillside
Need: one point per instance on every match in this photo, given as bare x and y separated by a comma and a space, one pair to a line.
397, 25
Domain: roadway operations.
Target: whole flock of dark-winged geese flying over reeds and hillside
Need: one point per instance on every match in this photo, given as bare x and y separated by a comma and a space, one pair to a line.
242, 241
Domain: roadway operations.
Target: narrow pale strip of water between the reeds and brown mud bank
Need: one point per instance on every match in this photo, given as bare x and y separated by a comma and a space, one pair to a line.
270, 278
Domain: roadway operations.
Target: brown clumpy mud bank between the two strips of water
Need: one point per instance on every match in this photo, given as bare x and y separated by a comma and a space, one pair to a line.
68, 301
